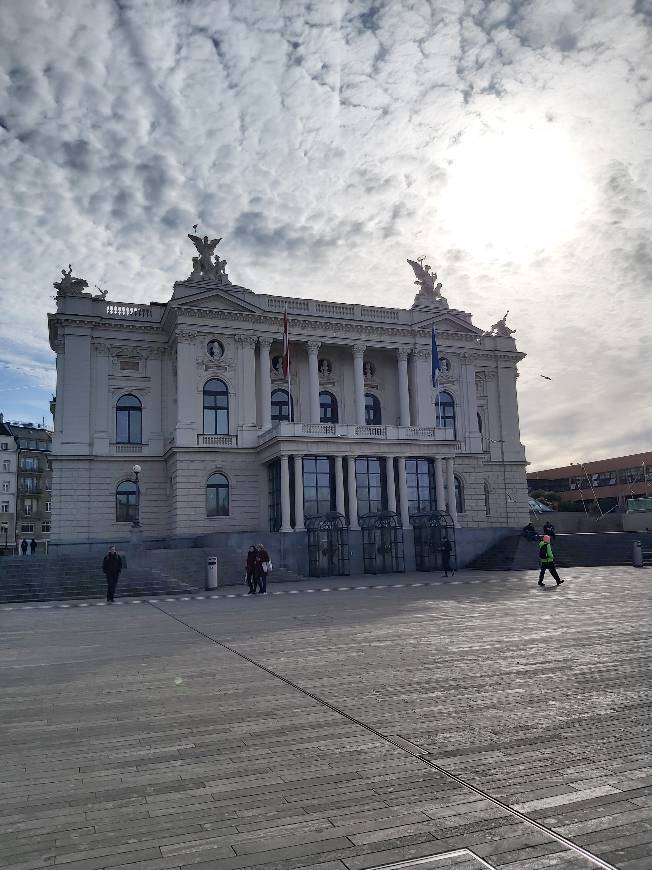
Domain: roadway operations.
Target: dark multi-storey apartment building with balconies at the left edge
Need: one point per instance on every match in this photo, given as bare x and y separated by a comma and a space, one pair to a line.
34, 483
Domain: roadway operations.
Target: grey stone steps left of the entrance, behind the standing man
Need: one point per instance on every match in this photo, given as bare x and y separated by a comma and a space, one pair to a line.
159, 572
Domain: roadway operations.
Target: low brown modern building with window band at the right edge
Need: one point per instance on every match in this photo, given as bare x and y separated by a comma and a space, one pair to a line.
611, 482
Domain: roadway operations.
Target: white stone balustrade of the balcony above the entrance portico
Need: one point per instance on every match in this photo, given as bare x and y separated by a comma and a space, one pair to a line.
348, 430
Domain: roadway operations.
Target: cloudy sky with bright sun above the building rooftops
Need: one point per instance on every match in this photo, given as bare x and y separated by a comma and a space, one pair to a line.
328, 140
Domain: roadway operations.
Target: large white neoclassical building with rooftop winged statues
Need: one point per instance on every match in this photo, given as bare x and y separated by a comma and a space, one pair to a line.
193, 391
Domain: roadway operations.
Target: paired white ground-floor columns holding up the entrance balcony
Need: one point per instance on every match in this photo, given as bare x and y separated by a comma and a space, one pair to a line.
396, 502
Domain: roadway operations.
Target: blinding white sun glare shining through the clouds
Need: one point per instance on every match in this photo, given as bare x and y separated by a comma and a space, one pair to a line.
515, 193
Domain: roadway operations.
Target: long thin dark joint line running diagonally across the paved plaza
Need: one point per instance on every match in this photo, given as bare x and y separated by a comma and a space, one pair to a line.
564, 841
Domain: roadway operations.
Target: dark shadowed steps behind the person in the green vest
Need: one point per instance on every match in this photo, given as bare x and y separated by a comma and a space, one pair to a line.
514, 553
